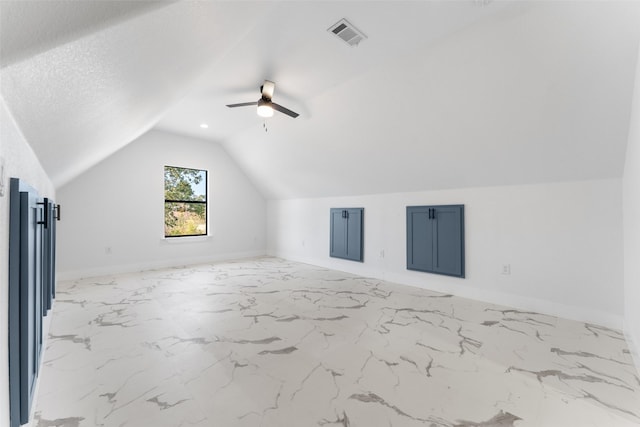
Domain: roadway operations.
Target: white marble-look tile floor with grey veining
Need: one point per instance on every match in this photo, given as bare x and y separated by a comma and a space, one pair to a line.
269, 342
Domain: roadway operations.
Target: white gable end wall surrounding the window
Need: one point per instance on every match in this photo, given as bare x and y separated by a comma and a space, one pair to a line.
119, 204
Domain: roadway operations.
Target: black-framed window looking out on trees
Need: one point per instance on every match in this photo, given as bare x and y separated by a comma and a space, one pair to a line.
185, 202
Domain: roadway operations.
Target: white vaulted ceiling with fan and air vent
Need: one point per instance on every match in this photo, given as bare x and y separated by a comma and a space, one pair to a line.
441, 94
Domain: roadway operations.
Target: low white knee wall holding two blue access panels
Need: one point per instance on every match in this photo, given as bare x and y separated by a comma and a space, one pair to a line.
563, 242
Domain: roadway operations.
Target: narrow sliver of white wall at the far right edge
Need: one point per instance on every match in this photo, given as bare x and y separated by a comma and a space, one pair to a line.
631, 212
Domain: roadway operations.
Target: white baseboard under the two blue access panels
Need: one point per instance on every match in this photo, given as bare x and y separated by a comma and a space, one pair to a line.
519, 302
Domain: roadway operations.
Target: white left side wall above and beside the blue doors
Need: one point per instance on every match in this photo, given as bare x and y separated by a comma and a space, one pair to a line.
19, 162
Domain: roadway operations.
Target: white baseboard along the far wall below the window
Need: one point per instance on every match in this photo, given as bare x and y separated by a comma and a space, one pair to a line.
152, 265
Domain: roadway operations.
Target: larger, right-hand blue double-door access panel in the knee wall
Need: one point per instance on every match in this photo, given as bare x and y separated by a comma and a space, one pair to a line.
435, 239
